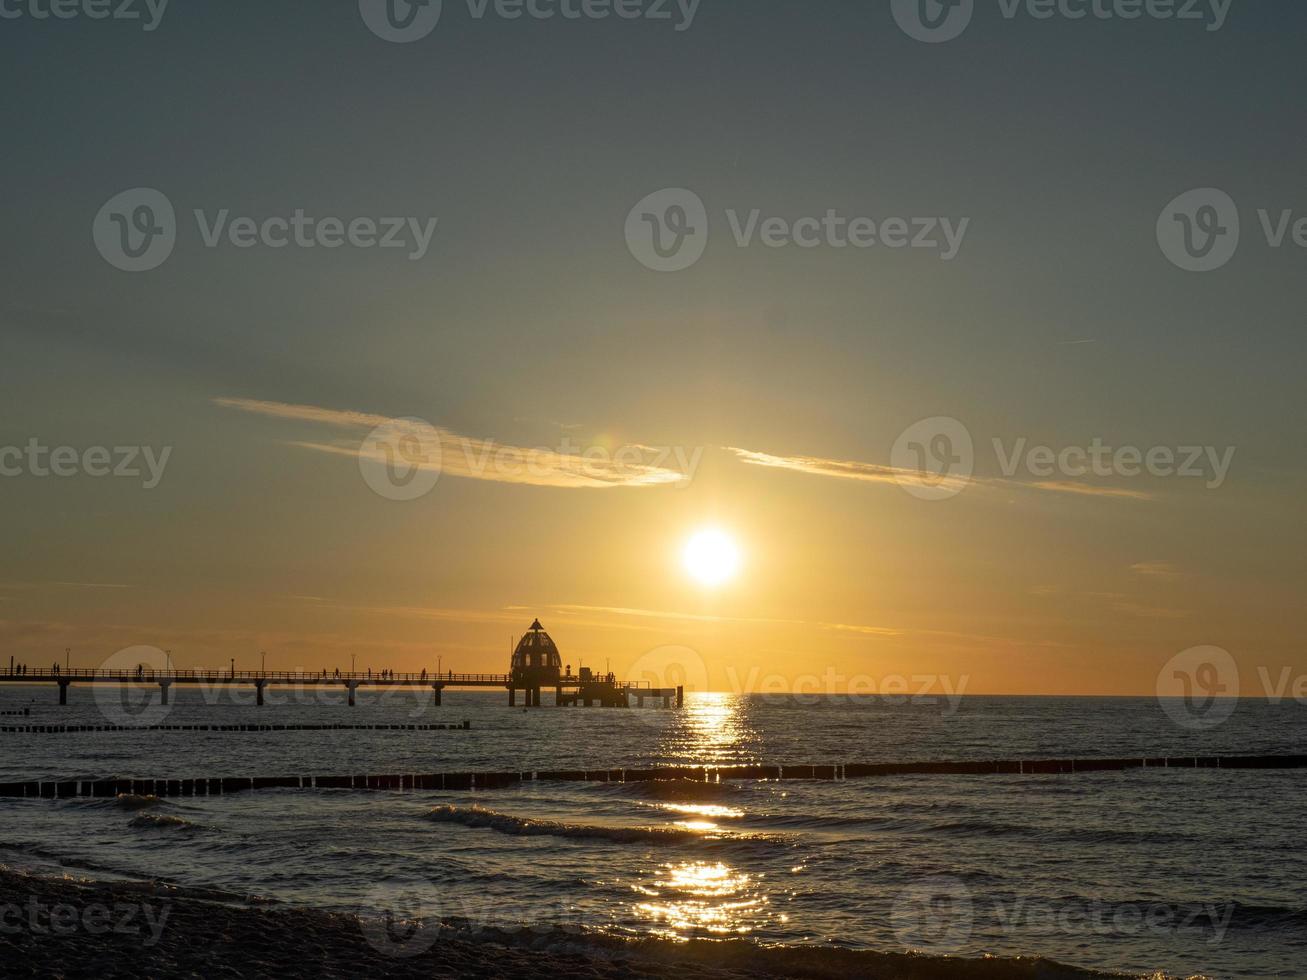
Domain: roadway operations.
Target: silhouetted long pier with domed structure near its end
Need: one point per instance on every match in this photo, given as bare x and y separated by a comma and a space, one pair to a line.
535, 667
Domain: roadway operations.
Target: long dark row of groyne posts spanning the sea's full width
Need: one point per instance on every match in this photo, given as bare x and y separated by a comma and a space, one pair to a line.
110, 789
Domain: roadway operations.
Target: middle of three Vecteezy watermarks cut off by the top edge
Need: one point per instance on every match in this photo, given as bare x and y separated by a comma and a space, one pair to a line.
406, 22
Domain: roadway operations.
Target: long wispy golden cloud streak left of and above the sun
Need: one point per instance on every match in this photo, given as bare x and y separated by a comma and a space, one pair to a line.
482, 459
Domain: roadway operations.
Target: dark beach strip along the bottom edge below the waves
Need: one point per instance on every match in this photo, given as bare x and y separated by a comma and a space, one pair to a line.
75, 928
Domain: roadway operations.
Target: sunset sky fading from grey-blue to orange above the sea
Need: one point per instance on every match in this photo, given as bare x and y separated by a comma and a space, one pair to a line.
777, 394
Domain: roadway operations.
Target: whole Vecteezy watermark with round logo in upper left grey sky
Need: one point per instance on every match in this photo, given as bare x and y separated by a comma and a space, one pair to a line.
138, 231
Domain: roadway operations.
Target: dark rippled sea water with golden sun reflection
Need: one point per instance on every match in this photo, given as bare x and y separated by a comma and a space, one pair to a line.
1185, 872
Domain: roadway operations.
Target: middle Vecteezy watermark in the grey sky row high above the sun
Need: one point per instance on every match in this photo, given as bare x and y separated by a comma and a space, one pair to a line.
669, 231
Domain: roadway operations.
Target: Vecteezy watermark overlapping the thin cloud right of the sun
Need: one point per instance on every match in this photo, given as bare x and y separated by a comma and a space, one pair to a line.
935, 459
